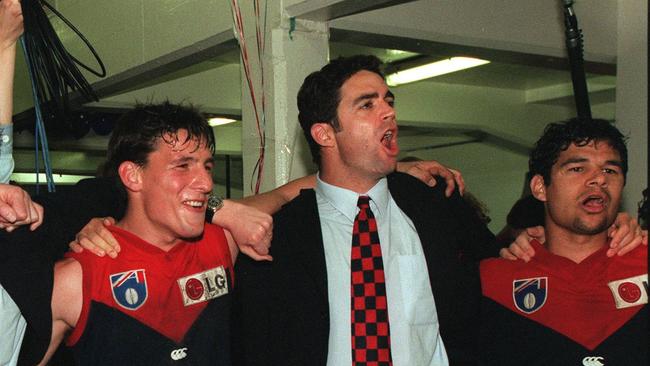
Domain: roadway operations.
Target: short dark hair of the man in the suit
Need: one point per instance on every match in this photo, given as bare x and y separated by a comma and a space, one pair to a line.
320, 94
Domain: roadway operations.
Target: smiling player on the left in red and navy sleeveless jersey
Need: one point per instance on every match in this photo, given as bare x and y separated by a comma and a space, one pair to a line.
166, 298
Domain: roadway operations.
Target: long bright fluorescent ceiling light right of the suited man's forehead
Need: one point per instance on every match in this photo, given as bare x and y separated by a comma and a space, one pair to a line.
433, 69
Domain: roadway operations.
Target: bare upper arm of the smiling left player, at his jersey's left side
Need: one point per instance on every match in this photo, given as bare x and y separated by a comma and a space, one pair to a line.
66, 302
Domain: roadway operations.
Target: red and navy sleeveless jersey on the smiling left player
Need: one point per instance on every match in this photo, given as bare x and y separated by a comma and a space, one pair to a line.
155, 306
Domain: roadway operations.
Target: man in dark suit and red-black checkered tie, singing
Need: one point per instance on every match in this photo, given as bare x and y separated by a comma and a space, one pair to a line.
297, 310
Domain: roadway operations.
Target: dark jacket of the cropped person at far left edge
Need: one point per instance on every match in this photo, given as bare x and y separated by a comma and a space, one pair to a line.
27, 258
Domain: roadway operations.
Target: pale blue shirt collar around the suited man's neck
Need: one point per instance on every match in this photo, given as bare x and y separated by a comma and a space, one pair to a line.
345, 200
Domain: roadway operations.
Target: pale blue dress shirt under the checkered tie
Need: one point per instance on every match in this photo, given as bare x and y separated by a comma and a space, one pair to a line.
414, 328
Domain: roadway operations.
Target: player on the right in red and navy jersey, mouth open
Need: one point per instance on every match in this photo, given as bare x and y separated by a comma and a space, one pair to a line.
571, 304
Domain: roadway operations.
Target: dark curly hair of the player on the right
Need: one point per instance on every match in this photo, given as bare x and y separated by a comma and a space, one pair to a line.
558, 136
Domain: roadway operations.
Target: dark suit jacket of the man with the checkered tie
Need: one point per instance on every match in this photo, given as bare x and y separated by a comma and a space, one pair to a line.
281, 314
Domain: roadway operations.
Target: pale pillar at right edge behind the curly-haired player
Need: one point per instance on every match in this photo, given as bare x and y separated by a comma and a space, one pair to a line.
632, 95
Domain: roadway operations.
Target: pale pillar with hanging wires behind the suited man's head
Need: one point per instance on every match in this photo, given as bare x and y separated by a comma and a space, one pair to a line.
293, 50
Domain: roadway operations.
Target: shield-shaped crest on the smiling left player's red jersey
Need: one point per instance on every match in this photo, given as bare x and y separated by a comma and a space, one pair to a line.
129, 288
